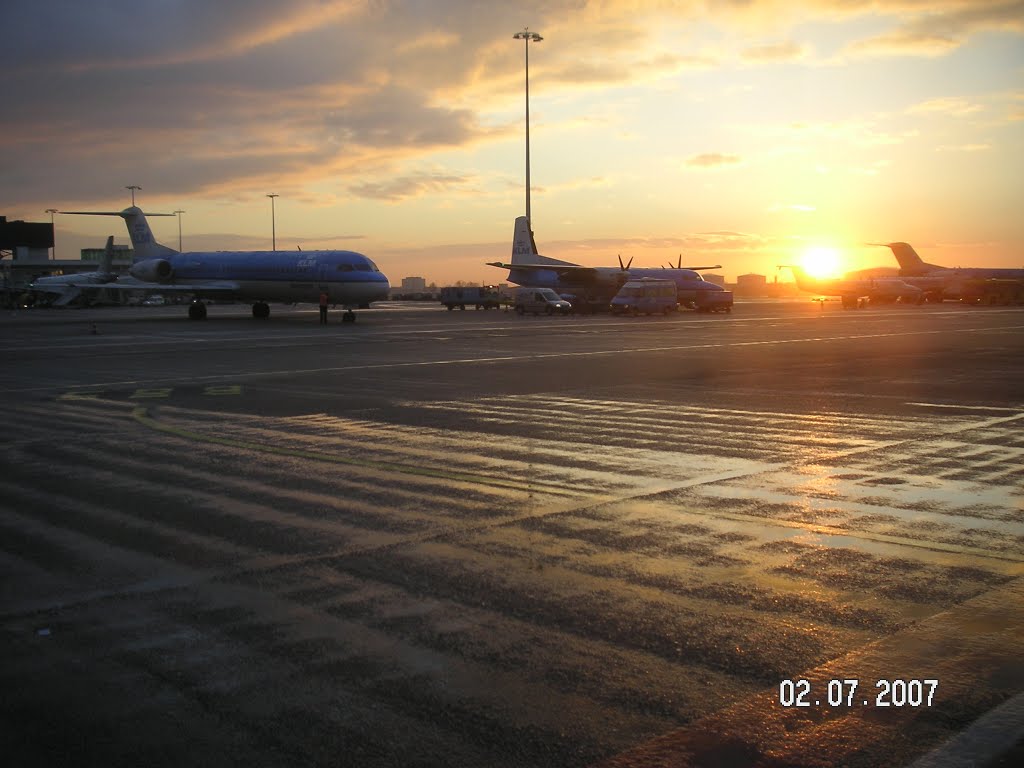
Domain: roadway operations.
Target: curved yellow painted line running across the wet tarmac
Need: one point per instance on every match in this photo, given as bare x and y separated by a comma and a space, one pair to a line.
142, 415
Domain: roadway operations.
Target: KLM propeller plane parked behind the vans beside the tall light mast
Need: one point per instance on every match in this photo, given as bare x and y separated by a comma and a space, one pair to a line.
591, 285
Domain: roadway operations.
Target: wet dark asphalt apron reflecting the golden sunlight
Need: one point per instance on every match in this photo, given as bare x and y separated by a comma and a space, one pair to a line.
790, 536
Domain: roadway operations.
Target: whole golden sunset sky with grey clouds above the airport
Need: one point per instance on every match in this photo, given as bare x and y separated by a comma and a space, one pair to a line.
730, 132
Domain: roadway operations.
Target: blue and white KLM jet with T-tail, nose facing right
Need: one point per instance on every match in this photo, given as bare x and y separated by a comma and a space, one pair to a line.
348, 278
